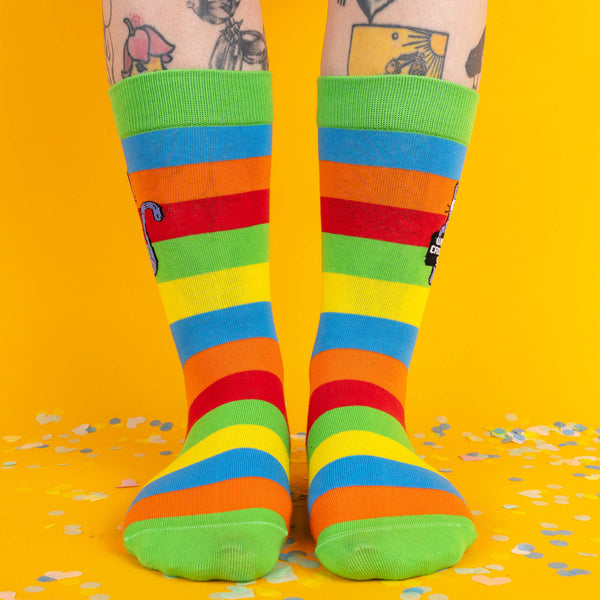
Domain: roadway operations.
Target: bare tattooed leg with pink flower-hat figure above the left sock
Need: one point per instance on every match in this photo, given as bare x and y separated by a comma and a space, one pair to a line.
145, 35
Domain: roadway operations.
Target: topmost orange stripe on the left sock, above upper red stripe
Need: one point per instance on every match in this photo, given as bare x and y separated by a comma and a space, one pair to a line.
203, 180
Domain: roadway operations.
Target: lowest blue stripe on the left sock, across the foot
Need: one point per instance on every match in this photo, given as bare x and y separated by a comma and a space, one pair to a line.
239, 462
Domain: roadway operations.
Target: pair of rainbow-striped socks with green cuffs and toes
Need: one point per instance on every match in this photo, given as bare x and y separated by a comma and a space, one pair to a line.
198, 147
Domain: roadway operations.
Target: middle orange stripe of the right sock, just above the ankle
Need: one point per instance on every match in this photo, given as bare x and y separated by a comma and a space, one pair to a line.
363, 365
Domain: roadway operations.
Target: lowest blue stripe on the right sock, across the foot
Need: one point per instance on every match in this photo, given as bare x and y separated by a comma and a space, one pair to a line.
374, 470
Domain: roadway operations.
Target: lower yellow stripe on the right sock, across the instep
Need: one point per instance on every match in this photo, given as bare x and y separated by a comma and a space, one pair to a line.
353, 443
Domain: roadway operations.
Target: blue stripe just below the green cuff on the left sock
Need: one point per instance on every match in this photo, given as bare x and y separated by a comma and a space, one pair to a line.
191, 145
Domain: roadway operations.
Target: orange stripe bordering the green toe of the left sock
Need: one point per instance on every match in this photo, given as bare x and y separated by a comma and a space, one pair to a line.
223, 496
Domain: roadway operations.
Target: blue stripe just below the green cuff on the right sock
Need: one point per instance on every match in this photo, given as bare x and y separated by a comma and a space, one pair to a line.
395, 149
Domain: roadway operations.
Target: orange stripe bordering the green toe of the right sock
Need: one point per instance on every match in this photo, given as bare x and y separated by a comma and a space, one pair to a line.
370, 502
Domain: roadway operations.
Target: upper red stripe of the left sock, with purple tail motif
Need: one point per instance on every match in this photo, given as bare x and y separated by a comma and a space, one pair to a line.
209, 214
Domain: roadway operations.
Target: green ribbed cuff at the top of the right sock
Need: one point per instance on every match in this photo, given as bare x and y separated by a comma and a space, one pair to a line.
409, 103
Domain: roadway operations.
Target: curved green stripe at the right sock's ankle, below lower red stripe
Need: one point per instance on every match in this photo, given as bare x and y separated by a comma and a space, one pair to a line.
355, 418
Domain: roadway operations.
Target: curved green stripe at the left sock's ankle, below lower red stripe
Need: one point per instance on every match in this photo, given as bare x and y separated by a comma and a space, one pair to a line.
239, 412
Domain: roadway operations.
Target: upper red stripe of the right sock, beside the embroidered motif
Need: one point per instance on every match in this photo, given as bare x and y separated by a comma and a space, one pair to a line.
379, 222
